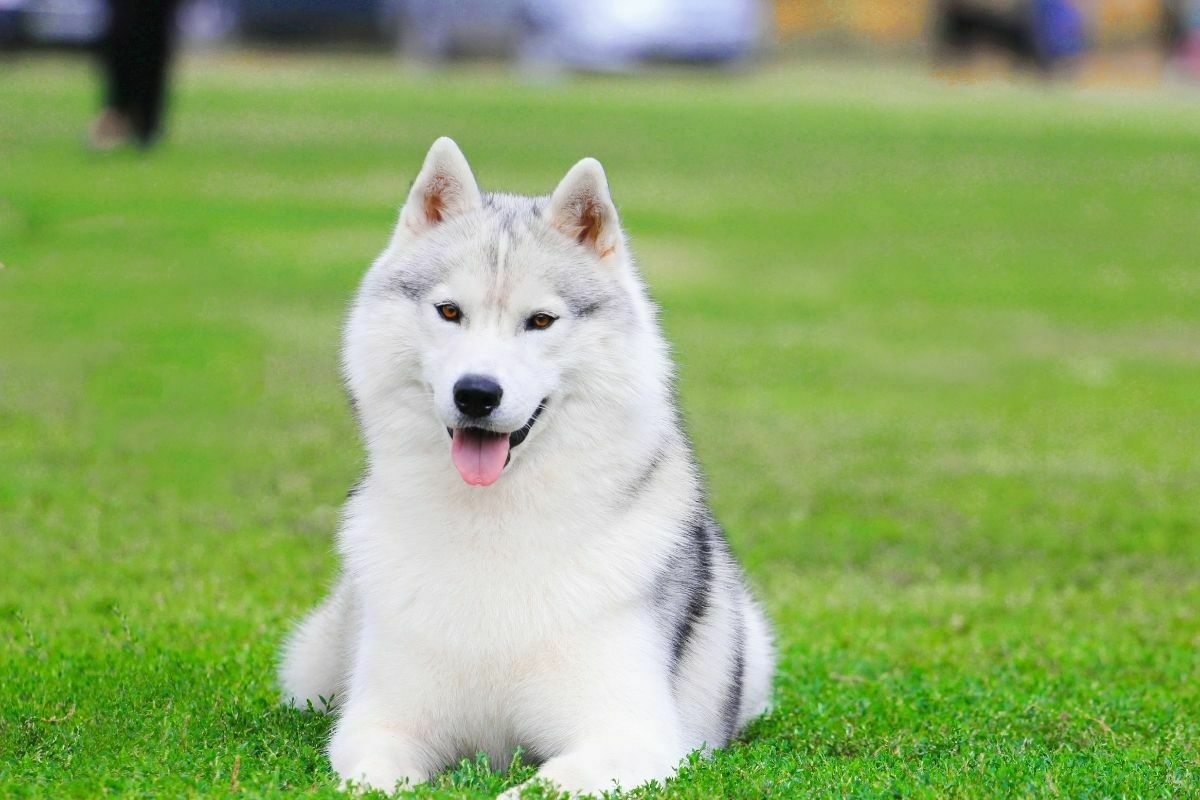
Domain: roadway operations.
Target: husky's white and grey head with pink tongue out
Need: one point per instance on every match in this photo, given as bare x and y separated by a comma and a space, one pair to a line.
489, 315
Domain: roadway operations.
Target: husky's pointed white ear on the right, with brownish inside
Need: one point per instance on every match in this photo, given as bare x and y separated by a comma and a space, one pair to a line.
583, 209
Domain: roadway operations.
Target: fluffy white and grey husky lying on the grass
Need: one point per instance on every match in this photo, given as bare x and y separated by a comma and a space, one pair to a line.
529, 561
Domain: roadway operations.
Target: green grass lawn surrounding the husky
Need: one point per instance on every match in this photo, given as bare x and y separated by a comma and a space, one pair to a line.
940, 350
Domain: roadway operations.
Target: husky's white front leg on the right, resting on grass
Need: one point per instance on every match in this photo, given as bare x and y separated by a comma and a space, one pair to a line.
602, 707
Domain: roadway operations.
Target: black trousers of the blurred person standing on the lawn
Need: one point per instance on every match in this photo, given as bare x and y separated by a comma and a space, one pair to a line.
136, 56
